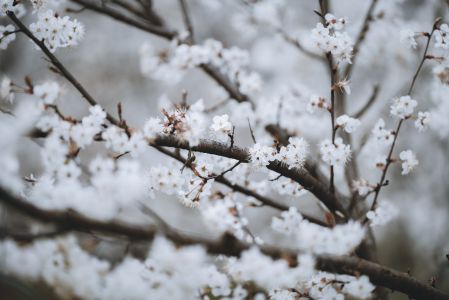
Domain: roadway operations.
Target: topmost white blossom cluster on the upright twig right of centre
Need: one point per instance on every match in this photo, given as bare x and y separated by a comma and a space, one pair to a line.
330, 39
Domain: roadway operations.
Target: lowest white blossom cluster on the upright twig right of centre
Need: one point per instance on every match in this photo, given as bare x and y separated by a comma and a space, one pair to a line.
335, 154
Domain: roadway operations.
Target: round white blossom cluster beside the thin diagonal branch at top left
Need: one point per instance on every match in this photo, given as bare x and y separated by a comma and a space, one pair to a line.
57, 32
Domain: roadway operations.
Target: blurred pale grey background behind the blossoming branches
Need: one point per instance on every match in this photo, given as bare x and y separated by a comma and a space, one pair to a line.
107, 63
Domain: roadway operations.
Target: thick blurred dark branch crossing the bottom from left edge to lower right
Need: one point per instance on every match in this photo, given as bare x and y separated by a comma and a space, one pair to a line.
228, 245
